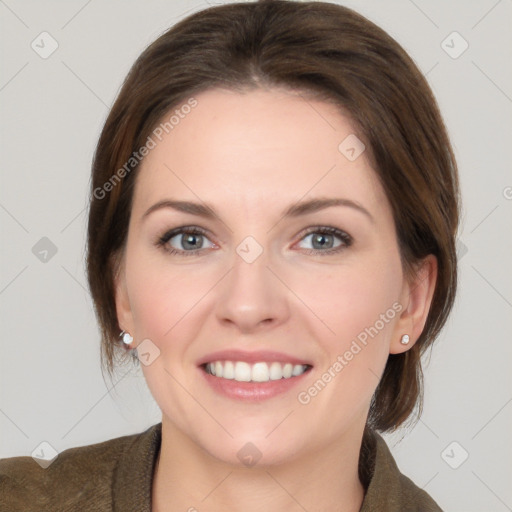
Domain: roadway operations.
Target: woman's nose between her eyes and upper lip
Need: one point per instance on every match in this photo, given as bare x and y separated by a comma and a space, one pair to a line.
251, 297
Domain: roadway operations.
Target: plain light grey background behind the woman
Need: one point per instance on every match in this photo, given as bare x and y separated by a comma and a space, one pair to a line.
52, 112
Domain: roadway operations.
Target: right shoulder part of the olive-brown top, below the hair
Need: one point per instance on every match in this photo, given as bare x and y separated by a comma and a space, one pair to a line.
389, 490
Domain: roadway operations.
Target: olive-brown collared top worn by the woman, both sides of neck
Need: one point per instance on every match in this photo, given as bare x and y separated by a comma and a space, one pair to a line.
116, 475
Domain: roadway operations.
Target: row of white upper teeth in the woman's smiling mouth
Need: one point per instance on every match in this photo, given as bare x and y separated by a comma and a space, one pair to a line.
257, 372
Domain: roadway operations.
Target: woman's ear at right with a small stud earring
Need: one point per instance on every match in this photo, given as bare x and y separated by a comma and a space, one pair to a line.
416, 298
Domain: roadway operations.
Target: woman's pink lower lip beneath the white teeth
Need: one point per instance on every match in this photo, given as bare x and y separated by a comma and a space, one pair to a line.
251, 391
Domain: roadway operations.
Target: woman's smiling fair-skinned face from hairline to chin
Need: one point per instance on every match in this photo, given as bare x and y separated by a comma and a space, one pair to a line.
255, 292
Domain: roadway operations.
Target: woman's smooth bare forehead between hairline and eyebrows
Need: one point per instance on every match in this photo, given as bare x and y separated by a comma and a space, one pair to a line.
245, 149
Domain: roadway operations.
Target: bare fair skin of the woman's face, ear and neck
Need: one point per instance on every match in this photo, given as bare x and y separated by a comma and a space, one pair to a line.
250, 156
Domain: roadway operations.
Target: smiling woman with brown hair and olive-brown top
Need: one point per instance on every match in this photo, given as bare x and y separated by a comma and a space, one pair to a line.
272, 225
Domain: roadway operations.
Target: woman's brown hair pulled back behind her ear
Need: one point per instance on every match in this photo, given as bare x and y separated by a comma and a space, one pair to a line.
325, 50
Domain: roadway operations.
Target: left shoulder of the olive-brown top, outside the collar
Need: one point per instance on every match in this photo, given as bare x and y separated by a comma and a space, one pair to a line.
77, 475
